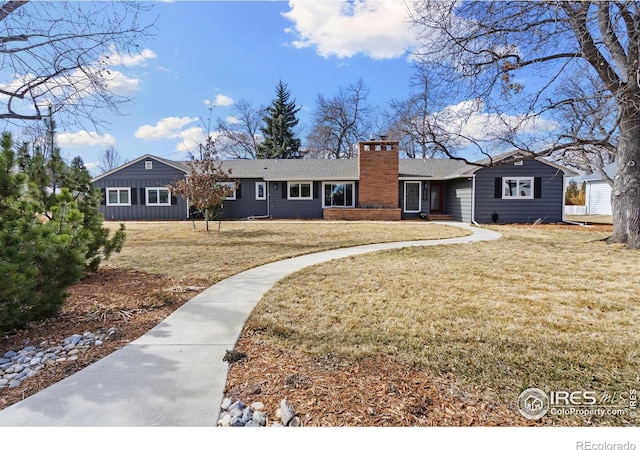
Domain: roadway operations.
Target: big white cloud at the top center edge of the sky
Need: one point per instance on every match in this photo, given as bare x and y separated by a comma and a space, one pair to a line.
377, 28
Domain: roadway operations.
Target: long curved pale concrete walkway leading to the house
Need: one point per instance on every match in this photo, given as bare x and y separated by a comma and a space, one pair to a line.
174, 375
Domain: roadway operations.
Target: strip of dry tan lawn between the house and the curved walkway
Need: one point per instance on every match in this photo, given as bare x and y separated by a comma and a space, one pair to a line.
177, 250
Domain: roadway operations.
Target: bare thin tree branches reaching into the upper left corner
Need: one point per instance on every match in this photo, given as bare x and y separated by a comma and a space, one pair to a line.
61, 55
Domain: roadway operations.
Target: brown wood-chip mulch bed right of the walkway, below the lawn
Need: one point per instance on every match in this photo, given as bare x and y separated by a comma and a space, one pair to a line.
376, 392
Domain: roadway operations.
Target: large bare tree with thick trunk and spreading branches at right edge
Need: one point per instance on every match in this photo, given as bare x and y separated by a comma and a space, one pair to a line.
513, 56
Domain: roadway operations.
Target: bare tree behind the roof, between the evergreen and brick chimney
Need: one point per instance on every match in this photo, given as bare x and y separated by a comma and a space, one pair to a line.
340, 122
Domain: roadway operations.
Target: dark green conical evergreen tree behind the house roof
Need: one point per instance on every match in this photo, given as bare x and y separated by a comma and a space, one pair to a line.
280, 120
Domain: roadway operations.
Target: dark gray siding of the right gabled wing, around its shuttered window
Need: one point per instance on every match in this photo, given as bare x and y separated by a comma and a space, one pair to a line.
548, 207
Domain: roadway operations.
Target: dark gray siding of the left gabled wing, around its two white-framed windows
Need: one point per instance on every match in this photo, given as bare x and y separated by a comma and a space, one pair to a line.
137, 177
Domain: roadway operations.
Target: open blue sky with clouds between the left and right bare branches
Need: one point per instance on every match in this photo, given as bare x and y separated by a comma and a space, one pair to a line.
223, 51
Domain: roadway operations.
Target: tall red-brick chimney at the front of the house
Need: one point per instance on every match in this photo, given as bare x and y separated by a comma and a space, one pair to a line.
378, 172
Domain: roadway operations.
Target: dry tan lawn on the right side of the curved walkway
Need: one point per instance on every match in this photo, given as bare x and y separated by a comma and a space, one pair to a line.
553, 309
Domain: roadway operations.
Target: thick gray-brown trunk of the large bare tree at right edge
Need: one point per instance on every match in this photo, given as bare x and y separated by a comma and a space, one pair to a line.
625, 195
